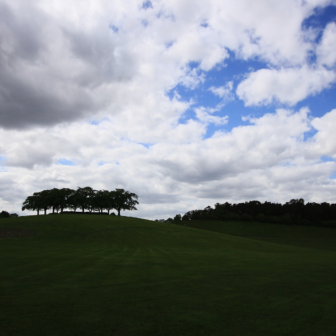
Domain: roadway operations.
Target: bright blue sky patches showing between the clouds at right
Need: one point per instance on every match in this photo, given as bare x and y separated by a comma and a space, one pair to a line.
235, 68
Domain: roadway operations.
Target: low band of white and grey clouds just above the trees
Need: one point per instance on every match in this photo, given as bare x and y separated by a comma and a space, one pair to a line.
172, 177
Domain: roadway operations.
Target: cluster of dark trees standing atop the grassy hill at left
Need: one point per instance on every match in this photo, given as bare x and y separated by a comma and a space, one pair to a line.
82, 198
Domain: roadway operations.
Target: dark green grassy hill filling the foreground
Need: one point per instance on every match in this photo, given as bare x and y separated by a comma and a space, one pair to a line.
83, 275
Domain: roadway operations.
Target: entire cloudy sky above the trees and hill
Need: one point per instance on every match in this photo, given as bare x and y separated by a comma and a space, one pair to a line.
185, 103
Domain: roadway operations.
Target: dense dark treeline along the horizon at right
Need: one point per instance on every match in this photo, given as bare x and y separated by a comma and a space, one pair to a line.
292, 212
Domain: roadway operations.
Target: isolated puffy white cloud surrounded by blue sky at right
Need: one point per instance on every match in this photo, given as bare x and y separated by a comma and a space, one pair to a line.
286, 85
